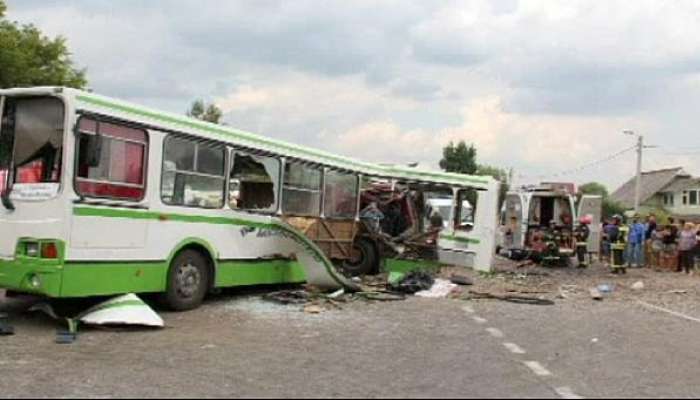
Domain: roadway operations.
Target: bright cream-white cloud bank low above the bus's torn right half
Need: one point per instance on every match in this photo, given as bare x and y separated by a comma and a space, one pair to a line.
537, 147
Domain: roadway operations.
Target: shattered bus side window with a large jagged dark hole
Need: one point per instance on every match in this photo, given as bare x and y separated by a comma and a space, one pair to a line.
254, 182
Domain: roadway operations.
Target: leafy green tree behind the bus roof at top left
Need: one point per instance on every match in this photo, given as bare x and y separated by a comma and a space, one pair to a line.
29, 58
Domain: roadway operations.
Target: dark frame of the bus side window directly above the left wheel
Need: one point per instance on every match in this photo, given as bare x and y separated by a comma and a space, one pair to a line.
195, 140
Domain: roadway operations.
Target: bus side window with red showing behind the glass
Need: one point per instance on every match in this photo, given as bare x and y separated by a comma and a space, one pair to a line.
111, 160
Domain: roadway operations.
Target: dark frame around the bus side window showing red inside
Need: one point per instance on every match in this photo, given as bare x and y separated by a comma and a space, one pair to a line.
76, 161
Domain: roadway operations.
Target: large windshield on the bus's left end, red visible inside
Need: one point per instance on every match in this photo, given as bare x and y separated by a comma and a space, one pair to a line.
31, 141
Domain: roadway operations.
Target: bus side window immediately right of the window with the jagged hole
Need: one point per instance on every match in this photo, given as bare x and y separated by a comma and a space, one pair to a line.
302, 190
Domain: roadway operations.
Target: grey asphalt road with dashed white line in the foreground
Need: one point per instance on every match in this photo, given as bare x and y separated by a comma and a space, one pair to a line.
240, 346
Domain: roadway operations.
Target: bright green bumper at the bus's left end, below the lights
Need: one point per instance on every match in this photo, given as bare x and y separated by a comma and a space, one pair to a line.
32, 276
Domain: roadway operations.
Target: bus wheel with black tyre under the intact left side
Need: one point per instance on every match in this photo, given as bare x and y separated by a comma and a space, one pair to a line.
188, 279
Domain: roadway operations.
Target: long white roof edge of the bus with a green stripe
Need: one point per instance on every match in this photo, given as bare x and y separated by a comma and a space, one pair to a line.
129, 111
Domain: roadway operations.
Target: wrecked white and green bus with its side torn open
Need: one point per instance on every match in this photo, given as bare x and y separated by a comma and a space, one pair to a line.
102, 197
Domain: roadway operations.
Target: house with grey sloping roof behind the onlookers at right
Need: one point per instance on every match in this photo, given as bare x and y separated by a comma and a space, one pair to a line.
670, 189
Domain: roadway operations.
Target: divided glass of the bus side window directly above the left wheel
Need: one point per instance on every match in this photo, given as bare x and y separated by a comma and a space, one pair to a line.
193, 173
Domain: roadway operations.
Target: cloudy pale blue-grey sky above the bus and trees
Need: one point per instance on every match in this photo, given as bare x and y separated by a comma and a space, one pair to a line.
544, 87
